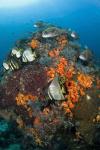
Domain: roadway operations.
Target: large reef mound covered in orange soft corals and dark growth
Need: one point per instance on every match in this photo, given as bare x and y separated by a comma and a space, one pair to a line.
53, 101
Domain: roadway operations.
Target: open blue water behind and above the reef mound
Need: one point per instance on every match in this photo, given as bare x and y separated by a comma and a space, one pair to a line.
82, 16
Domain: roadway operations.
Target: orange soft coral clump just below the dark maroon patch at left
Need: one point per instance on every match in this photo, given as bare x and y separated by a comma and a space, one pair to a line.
22, 99
